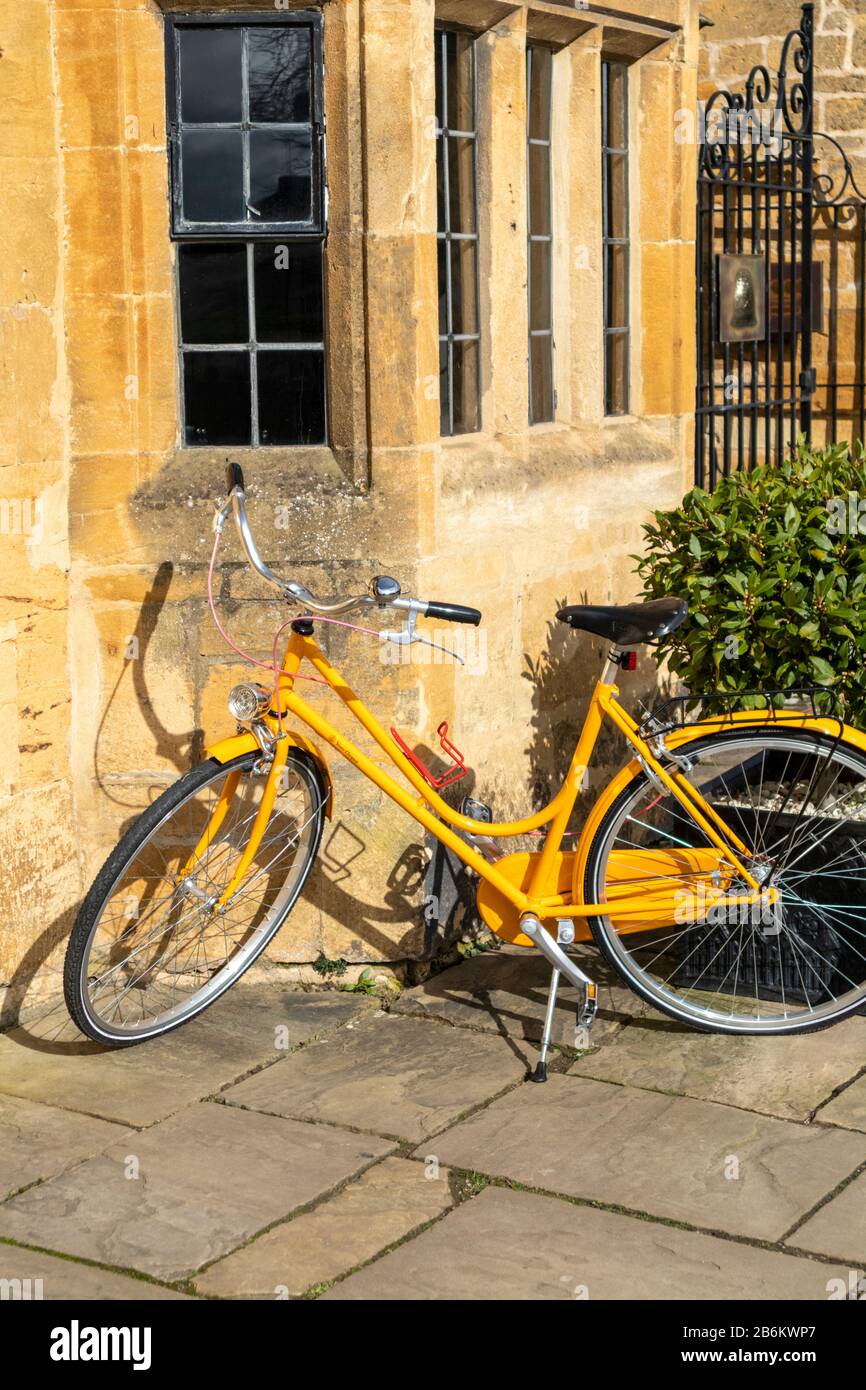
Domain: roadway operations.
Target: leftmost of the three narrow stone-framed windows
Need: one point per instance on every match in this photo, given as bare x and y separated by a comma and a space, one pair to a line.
458, 240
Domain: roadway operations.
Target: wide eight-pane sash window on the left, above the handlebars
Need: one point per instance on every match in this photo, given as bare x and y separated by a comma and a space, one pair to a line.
247, 197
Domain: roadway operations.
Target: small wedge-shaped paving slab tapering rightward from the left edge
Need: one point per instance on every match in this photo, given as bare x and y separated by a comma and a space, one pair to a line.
38, 1142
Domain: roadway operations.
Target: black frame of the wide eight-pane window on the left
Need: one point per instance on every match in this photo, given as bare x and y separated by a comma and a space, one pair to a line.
250, 236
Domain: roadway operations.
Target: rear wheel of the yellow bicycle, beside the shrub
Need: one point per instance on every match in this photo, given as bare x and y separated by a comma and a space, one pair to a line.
797, 800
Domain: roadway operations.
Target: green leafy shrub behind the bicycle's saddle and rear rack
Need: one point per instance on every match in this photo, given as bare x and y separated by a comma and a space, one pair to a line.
774, 565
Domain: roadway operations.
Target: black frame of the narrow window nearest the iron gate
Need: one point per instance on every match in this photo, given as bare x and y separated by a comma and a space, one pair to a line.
612, 332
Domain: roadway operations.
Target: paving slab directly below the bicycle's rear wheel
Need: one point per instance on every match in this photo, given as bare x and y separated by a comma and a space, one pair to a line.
786, 1077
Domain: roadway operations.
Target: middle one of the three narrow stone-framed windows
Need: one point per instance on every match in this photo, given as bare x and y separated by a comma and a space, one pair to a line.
540, 233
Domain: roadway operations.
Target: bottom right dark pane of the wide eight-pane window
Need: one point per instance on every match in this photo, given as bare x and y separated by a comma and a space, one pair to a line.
291, 397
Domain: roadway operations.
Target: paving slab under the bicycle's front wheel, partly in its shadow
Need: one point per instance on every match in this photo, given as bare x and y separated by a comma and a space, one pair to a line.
142, 1085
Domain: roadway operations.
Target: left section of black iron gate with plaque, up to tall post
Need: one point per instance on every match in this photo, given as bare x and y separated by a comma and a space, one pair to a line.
754, 259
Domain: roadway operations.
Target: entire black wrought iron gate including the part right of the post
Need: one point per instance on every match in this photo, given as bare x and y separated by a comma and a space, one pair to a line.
781, 269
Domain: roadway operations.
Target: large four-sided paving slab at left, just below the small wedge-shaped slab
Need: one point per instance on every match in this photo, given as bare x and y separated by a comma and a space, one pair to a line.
209, 1179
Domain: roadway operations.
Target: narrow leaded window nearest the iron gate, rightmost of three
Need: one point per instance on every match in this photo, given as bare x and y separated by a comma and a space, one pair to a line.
615, 230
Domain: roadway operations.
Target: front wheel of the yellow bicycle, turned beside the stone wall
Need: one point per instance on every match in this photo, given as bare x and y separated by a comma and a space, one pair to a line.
151, 947
